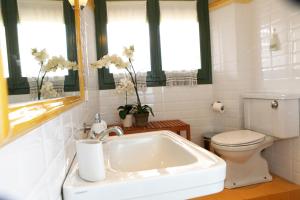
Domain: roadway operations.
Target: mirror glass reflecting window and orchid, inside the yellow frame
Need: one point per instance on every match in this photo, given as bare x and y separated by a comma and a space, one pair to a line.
39, 49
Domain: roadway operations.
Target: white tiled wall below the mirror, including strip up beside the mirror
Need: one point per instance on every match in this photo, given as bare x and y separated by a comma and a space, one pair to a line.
34, 166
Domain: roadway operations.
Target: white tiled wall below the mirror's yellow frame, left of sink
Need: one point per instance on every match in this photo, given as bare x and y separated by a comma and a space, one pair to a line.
36, 162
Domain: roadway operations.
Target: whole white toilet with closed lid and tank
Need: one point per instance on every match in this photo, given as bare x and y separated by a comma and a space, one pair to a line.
267, 117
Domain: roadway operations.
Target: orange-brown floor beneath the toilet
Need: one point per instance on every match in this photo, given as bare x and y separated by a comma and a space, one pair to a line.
278, 189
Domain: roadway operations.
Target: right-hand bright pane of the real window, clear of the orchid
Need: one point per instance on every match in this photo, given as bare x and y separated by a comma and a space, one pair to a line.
179, 34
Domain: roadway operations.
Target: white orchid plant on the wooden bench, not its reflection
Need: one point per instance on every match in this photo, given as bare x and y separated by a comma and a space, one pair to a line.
127, 83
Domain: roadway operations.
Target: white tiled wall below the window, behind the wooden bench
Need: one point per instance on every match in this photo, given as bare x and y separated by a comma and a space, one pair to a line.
190, 104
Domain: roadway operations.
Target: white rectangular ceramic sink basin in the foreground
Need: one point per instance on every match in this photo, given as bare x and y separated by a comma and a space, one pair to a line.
153, 165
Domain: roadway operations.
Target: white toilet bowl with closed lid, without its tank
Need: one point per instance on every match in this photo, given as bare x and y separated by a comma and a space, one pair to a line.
242, 152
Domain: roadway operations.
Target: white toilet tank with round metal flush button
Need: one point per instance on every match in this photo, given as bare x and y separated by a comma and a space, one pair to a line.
272, 114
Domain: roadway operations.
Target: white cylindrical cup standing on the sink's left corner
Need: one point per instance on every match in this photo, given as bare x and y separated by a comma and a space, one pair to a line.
90, 160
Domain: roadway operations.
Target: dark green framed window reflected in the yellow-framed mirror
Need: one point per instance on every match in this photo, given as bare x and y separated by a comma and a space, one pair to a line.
36, 24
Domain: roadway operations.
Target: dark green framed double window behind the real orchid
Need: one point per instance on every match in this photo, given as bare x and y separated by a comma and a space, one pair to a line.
178, 31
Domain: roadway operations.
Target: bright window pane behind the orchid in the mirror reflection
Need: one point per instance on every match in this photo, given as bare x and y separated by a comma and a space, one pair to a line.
41, 26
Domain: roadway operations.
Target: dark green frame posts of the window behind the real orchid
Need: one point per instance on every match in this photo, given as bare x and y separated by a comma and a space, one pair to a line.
155, 77
